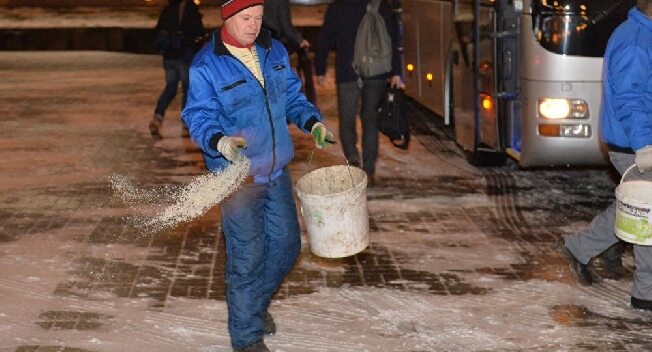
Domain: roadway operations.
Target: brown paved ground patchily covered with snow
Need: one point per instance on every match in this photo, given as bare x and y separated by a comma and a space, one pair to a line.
461, 259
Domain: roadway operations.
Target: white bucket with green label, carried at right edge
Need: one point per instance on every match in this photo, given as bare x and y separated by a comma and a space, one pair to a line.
634, 211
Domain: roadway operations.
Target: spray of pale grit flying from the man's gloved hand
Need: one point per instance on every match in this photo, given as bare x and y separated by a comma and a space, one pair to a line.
187, 202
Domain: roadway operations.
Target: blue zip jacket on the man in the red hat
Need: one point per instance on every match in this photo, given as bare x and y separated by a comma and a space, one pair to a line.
225, 99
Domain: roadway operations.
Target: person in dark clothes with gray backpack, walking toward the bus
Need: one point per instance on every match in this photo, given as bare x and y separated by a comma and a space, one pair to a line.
339, 30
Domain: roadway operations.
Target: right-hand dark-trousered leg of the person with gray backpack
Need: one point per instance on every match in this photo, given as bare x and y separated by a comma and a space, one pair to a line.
372, 94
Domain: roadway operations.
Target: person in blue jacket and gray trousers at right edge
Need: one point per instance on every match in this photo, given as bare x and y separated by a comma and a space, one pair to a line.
626, 128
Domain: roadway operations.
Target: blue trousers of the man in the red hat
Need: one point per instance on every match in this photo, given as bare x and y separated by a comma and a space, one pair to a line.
262, 243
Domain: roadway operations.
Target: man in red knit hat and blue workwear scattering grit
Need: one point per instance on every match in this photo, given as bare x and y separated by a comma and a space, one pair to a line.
242, 94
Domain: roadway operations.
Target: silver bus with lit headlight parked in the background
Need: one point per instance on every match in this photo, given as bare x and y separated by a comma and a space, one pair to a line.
513, 78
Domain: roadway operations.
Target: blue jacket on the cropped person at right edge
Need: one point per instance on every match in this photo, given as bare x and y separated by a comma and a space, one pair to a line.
626, 114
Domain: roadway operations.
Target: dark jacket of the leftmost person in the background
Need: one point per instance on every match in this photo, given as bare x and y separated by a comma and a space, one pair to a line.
176, 40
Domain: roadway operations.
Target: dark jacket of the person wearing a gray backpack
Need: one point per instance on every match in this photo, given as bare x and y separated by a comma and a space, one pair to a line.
338, 31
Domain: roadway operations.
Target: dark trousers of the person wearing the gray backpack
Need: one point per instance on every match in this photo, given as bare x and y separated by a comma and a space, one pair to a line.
348, 102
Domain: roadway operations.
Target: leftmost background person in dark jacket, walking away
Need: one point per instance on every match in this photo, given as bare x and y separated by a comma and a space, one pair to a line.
179, 33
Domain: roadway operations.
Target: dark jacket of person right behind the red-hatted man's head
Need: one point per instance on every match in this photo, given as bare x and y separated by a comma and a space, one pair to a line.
277, 19
